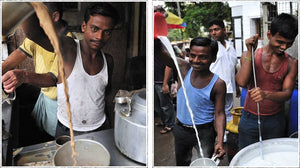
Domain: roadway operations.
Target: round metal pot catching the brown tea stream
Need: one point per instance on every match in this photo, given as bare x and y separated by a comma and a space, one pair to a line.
89, 153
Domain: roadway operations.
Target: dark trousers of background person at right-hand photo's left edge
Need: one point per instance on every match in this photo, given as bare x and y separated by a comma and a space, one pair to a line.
163, 105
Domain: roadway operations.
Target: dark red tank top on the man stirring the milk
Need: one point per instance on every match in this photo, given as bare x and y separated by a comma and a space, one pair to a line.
266, 81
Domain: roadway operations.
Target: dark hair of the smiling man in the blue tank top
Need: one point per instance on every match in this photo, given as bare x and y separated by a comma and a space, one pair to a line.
206, 42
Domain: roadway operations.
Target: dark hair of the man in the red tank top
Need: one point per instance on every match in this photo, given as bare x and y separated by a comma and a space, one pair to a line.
286, 25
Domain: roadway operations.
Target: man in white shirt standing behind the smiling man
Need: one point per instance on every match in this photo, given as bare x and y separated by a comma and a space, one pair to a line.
224, 66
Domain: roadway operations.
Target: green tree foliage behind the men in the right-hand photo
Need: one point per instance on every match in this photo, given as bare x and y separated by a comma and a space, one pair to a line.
198, 14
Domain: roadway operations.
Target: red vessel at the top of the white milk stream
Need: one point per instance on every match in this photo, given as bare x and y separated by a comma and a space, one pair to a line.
160, 25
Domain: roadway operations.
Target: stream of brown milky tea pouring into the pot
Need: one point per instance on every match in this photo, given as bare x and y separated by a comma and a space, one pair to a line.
47, 25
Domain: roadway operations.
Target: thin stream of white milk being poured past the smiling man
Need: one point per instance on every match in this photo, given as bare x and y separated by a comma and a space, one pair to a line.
168, 46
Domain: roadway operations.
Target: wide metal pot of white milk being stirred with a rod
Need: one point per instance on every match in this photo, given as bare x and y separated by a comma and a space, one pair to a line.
281, 152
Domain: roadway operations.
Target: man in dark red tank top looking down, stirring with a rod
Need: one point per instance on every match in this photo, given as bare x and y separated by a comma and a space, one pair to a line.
275, 75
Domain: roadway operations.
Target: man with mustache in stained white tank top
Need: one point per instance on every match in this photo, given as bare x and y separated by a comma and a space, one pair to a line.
88, 72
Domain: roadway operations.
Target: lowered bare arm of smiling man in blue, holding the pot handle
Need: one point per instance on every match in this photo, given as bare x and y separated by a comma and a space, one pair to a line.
218, 96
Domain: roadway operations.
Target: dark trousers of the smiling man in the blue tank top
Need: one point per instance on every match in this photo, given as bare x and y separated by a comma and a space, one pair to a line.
185, 140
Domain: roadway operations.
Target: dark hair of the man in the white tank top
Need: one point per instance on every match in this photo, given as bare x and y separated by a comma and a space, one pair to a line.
104, 9
